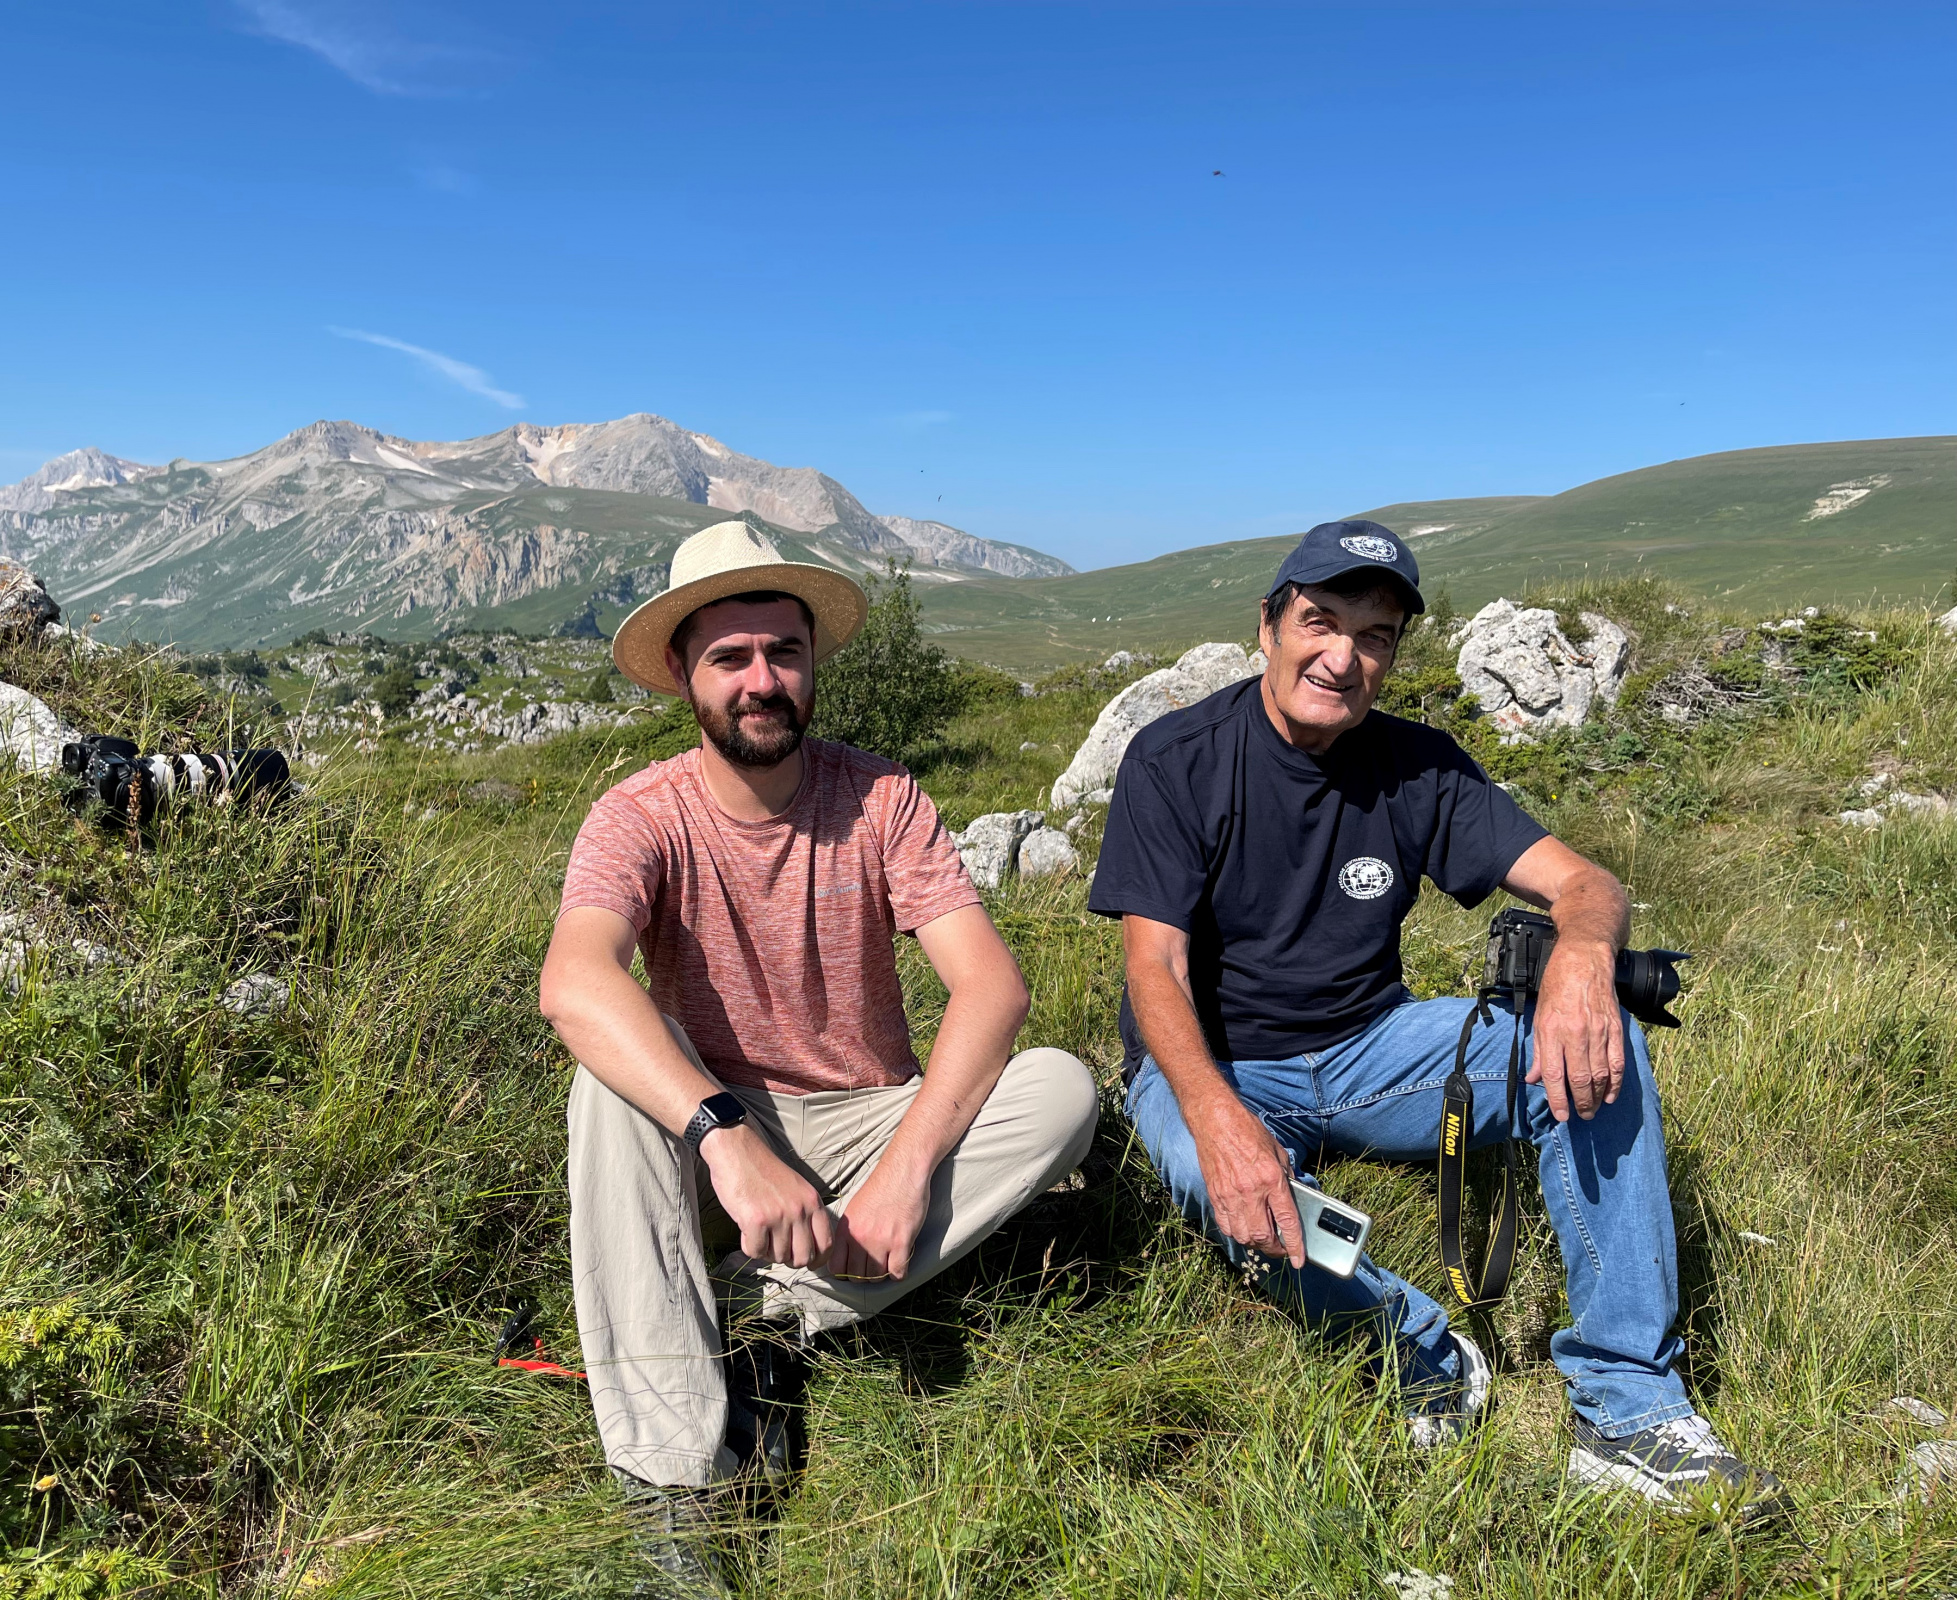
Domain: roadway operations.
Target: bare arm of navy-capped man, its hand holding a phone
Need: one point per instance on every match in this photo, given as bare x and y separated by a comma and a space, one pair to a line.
1246, 1173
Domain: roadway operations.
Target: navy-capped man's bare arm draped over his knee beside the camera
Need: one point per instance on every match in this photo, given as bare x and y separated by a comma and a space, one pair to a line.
1580, 1036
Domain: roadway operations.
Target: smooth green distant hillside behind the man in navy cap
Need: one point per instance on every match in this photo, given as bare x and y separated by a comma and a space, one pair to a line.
1727, 525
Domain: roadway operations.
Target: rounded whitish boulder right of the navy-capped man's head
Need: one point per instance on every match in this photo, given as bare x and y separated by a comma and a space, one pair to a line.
1529, 678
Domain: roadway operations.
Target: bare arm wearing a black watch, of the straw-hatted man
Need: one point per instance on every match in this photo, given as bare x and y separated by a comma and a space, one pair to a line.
617, 1034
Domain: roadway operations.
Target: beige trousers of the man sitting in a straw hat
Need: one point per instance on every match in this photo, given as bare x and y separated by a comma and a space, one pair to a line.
643, 1223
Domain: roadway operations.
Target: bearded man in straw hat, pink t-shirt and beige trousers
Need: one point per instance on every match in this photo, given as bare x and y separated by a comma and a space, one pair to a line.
749, 1130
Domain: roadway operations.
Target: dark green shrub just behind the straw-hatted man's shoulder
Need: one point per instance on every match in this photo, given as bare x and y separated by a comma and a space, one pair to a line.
889, 691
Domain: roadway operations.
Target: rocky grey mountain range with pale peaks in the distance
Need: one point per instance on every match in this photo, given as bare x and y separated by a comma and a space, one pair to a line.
345, 527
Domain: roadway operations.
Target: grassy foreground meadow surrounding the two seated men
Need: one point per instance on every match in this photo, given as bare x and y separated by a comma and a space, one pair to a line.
251, 1265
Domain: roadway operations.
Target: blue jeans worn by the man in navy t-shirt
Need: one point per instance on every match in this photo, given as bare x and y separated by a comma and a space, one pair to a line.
1604, 1184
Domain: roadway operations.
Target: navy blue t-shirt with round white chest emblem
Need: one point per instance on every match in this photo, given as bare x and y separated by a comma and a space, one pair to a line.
1293, 873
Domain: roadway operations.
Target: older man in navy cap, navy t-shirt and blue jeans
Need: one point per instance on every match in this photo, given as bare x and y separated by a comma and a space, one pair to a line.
1263, 852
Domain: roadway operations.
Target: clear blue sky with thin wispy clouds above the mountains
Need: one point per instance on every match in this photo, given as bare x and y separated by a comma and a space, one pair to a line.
978, 251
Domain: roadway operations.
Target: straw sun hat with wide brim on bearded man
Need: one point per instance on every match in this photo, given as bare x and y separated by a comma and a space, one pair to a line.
721, 562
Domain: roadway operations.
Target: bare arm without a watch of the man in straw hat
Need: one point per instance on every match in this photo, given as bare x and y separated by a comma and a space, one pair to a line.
880, 1227
